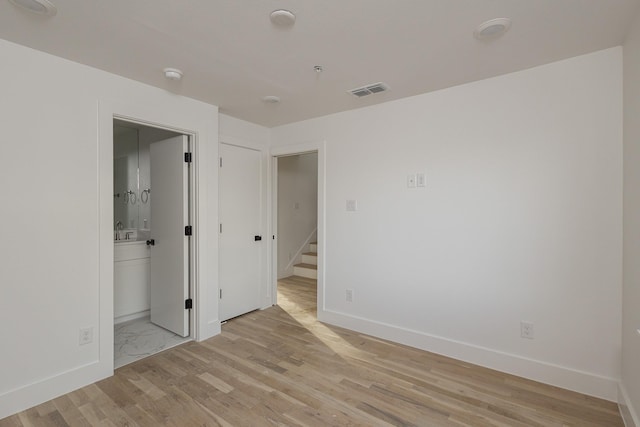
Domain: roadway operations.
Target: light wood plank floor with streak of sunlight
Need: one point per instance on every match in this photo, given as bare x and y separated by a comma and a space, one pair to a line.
280, 367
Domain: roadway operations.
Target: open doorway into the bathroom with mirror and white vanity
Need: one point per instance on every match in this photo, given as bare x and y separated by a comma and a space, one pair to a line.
152, 247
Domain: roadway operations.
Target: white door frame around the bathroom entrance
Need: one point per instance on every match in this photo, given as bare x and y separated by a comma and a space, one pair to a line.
203, 132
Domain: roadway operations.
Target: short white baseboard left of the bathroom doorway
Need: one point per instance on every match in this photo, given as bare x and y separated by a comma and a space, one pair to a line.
27, 396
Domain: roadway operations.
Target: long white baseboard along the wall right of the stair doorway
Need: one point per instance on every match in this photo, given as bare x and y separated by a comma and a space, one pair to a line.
560, 376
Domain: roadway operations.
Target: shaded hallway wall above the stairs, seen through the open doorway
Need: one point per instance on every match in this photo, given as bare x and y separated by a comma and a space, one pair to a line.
297, 208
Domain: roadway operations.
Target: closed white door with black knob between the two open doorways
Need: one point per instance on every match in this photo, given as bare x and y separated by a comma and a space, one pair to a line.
240, 252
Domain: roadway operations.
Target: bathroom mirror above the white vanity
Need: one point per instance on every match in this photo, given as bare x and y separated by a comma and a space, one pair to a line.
126, 197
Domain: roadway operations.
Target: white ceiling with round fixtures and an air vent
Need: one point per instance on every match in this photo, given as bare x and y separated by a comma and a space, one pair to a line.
232, 56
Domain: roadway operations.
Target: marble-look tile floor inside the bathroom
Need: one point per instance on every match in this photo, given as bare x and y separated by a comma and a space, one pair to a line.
139, 338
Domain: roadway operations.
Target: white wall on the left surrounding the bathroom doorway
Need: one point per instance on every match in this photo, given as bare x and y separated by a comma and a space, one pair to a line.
57, 245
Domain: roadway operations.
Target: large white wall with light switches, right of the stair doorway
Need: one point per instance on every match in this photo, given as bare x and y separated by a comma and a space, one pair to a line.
520, 220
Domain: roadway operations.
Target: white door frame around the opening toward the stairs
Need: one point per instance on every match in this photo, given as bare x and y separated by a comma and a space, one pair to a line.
285, 151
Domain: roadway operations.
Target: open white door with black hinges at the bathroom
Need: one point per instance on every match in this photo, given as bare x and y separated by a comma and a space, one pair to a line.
170, 251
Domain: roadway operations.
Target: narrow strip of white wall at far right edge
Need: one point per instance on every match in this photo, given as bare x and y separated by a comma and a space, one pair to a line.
631, 287
